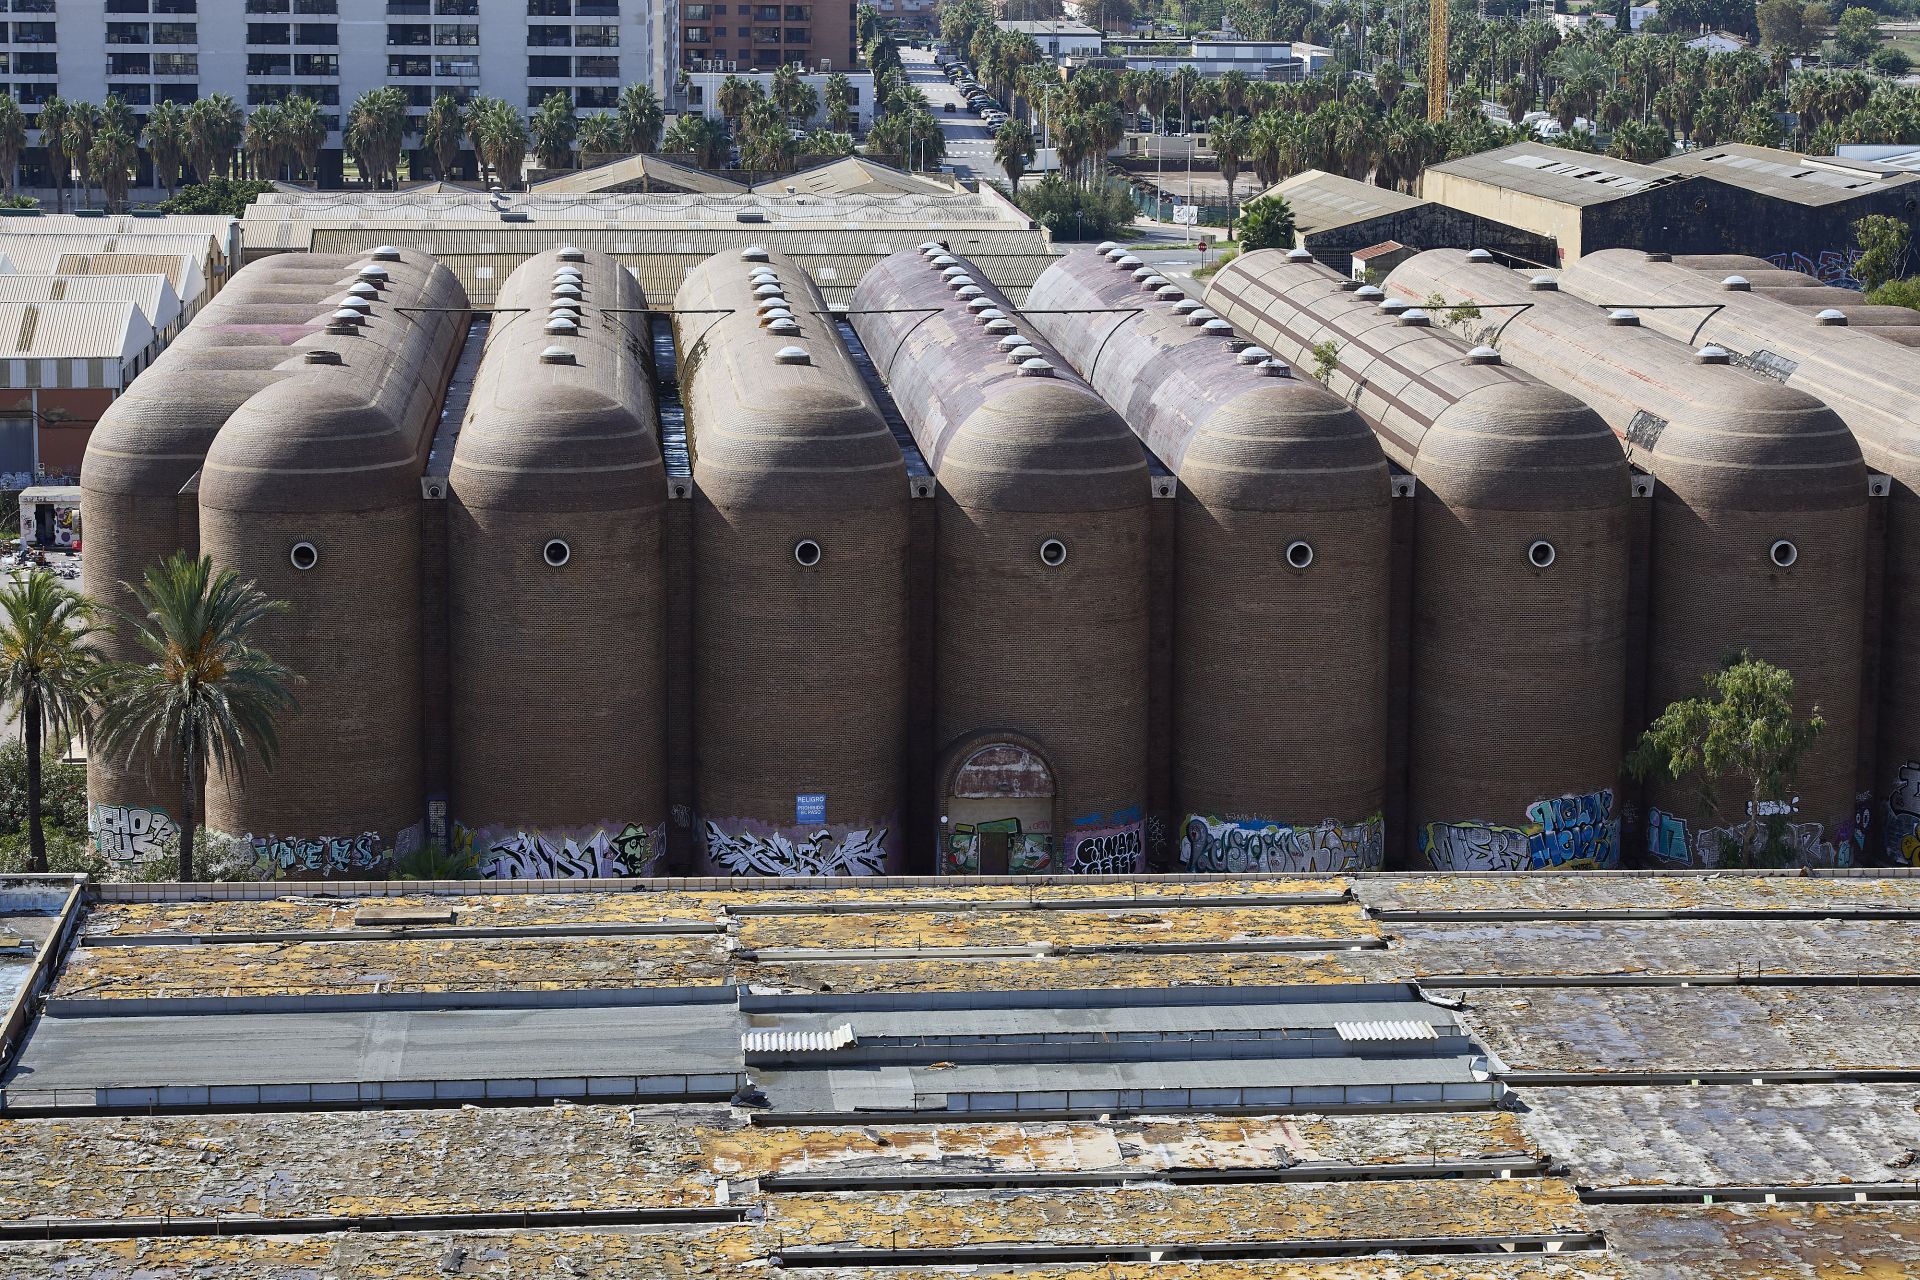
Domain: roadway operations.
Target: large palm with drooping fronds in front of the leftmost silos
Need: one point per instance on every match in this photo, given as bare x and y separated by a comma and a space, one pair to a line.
206, 698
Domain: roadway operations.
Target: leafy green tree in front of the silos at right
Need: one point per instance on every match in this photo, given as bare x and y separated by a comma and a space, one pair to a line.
1744, 734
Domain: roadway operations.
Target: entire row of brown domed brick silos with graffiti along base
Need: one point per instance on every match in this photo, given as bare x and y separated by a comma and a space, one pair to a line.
744, 582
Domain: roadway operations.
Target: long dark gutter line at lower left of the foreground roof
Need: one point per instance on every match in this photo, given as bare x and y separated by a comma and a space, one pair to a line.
189, 1227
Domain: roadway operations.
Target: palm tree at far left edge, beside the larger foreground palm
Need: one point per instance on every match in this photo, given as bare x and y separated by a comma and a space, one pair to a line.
47, 675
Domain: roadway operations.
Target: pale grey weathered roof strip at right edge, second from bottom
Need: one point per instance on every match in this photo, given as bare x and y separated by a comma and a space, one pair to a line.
1729, 1135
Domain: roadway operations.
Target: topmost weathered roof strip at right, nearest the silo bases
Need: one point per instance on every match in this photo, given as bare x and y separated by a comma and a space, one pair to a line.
1587, 891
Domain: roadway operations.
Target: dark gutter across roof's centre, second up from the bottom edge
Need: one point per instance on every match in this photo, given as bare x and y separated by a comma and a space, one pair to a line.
1487, 1168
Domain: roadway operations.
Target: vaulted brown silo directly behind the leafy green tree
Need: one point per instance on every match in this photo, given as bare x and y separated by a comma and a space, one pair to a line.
1760, 525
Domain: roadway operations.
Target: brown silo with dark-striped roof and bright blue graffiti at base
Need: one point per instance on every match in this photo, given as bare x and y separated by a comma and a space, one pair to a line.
1520, 567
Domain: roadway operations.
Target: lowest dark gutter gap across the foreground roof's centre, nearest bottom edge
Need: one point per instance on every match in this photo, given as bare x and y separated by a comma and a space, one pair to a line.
1145, 1252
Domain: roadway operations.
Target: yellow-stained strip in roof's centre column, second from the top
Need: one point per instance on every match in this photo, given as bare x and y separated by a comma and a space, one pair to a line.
1163, 926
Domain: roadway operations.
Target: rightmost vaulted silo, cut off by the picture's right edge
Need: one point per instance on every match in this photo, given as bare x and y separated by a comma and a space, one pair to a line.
1873, 387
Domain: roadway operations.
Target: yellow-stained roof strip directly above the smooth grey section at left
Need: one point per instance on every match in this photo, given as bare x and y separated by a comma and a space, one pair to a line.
395, 966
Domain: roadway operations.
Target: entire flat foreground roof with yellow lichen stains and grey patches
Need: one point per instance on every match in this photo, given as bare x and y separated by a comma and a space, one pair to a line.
1364, 1078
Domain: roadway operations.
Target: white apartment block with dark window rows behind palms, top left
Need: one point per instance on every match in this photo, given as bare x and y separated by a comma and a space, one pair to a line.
333, 51
